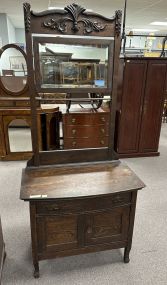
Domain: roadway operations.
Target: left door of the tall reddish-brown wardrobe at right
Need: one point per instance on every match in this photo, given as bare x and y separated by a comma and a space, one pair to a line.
131, 106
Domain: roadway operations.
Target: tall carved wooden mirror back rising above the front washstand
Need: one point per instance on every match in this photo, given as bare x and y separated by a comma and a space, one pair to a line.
74, 53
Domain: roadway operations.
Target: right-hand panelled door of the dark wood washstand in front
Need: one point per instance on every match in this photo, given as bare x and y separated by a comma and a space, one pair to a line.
107, 226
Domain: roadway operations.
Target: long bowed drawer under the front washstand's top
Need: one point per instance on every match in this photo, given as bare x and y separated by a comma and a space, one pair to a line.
83, 205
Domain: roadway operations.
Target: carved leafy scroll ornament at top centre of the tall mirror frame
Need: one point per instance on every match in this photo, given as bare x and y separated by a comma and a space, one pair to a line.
74, 11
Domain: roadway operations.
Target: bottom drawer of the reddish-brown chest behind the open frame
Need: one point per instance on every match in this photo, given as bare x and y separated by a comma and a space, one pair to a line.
76, 143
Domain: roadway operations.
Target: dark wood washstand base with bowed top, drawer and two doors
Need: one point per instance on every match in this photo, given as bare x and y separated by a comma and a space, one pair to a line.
82, 209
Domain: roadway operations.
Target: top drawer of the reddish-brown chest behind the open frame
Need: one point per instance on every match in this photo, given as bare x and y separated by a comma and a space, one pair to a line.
86, 119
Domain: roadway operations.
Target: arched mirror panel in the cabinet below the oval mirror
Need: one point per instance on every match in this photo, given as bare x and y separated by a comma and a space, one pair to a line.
19, 136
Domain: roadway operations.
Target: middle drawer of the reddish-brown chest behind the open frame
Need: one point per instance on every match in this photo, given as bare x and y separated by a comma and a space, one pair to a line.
85, 131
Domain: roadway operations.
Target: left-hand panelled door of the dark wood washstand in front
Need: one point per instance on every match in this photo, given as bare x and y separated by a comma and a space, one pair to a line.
57, 233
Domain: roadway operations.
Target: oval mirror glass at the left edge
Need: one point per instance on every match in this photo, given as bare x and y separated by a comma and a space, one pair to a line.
13, 70
